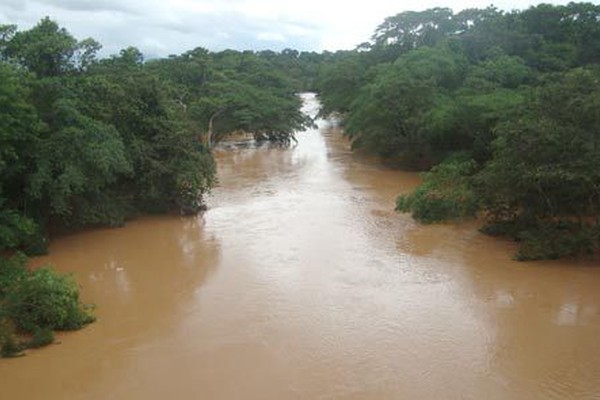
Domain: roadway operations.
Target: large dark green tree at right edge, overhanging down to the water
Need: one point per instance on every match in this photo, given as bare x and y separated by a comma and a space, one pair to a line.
543, 178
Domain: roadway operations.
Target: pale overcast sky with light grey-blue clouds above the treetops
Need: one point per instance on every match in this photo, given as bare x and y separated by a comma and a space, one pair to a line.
162, 27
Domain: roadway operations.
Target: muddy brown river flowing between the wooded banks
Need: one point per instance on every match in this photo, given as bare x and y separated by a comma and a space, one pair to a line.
300, 282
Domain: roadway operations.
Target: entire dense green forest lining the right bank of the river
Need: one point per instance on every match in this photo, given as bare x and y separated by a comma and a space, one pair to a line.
501, 108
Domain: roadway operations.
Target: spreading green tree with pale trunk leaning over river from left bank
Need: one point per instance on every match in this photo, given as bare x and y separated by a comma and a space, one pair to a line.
236, 91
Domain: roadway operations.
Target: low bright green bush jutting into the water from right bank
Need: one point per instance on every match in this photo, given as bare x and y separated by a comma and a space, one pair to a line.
444, 194
